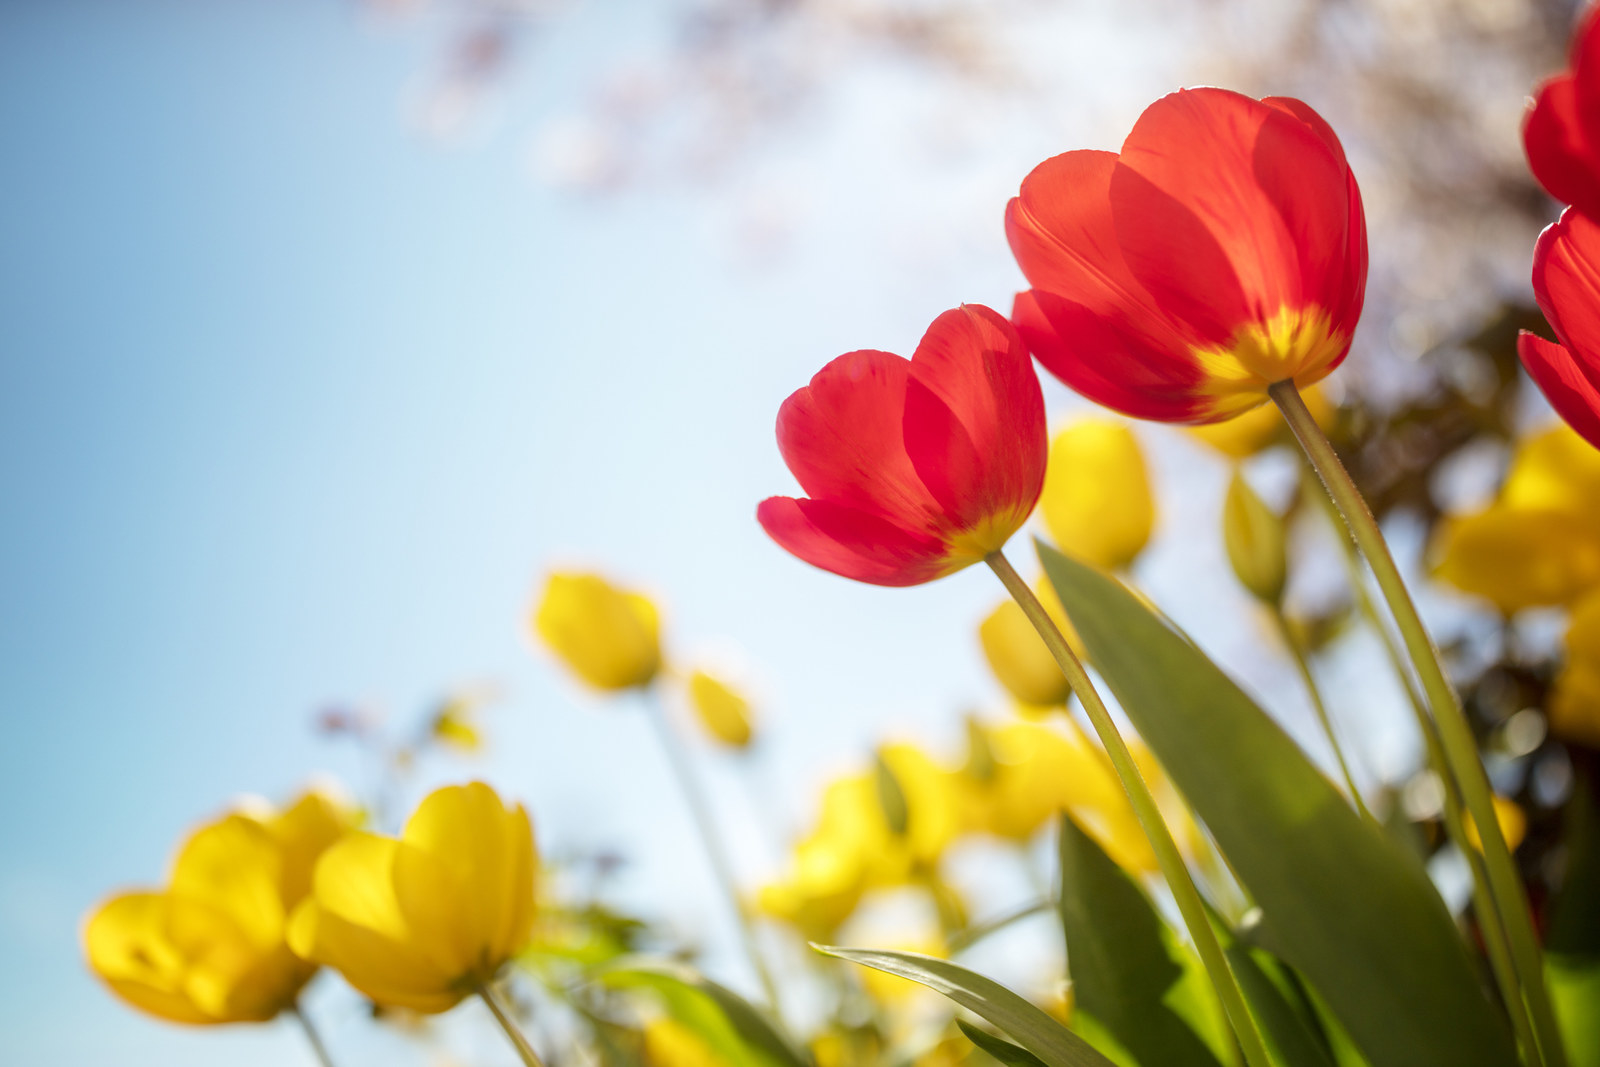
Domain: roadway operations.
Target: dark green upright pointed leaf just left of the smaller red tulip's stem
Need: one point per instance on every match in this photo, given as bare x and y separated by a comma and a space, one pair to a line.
1129, 970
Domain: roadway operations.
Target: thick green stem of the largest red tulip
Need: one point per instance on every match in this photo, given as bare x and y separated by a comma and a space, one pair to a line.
1458, 746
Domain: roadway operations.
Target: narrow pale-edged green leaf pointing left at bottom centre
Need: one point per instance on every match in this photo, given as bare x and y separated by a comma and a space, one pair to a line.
1020, 1020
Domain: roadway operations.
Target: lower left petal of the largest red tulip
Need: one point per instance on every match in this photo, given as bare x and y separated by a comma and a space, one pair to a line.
1110, 364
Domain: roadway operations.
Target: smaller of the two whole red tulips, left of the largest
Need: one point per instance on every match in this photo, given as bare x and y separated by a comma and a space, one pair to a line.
914, 468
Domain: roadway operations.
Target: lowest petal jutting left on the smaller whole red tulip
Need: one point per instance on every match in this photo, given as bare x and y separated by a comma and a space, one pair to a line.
852, 543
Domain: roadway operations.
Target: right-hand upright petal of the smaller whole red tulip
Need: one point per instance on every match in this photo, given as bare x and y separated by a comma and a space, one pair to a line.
975, 417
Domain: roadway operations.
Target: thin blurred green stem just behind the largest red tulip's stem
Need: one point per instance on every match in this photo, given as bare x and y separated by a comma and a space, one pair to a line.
1455, 826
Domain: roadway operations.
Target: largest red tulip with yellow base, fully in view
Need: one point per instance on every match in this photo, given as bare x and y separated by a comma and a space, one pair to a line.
1222, 252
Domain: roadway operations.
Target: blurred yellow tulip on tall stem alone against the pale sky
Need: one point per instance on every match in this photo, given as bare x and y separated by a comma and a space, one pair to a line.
609, 637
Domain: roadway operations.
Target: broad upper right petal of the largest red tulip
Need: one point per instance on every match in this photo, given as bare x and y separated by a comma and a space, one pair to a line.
1231, 210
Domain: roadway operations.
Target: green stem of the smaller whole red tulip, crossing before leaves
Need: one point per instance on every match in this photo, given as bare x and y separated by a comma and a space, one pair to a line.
1145, 807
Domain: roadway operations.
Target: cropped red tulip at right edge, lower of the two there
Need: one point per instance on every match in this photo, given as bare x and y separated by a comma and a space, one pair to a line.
1567, 286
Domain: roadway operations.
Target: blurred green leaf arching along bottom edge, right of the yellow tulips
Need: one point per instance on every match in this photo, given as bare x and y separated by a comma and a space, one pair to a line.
719, 1017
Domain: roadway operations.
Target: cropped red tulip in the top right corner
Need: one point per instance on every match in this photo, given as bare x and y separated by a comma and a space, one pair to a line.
1562, 129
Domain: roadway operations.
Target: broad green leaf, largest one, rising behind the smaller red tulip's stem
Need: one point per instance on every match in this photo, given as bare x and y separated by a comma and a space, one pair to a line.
1342, 903
